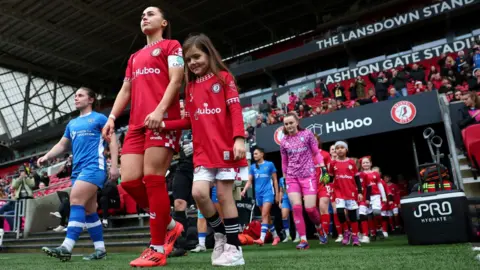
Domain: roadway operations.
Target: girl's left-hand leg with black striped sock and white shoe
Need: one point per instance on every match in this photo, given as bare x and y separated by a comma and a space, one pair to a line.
202, 179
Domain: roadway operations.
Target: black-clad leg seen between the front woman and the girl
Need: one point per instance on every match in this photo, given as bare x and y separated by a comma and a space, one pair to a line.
182, 190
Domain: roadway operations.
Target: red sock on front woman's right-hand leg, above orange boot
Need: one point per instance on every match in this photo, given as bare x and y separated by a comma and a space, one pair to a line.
159, 207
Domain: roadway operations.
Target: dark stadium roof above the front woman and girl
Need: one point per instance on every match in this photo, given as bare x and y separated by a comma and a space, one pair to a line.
89, 41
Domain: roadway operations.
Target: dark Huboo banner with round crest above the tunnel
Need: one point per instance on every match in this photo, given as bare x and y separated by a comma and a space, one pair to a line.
402, 113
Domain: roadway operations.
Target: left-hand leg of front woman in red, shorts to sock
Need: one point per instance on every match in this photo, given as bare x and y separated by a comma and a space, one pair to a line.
132, 166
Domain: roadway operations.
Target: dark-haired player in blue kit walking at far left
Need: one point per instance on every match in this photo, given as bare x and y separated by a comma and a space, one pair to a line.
84, 135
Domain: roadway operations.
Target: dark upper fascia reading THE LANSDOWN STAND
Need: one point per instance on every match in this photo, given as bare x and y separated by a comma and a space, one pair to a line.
306, 51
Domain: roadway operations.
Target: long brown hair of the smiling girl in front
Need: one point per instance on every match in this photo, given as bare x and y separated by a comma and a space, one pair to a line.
203, 43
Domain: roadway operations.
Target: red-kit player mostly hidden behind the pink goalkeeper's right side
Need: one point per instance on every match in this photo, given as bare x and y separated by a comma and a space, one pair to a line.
324, 189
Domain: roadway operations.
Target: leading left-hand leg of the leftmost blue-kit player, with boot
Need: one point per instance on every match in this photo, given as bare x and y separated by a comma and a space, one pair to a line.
80, 194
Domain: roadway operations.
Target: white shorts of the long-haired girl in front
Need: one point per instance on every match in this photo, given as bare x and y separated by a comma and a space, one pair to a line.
211, 174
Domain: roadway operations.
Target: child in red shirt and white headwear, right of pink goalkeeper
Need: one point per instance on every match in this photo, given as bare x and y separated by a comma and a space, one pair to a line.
348, 191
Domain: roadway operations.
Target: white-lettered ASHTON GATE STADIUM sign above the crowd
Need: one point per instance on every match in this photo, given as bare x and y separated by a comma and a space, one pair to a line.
402, 60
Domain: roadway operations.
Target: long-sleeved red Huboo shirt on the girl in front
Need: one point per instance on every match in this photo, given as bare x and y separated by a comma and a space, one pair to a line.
212, 108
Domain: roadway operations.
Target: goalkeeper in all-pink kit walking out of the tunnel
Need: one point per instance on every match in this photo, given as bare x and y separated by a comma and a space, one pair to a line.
299, 150
